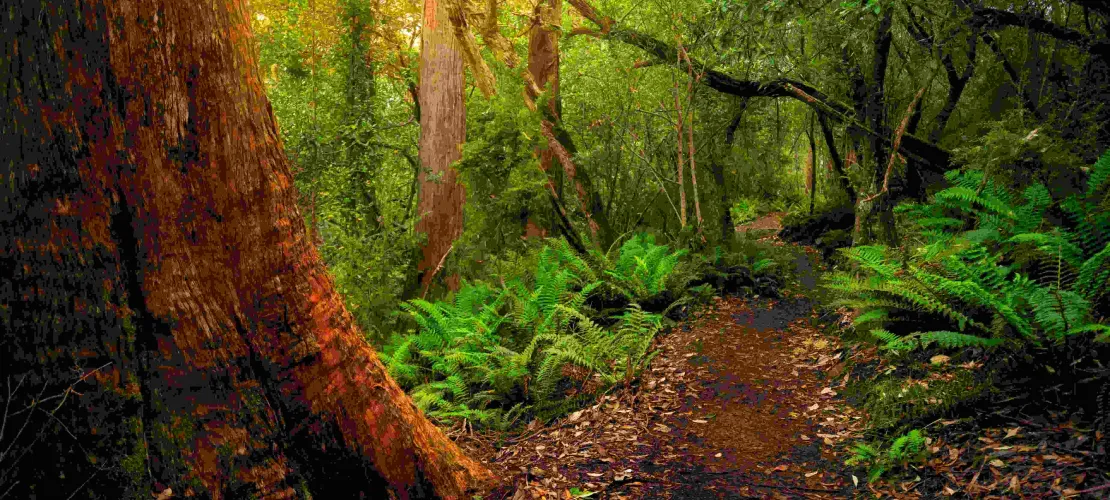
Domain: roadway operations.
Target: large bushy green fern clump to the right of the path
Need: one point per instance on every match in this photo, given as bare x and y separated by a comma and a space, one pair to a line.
988, 268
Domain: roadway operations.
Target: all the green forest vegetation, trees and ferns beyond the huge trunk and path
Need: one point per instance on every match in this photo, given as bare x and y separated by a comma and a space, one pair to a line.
955, 151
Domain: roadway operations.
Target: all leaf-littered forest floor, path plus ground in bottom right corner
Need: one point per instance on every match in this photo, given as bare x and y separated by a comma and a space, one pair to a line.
745, 399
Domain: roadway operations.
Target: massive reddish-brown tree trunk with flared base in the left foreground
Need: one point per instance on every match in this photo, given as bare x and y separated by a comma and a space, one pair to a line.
166, 324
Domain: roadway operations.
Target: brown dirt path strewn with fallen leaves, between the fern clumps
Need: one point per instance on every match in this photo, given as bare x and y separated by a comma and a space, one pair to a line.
741, 403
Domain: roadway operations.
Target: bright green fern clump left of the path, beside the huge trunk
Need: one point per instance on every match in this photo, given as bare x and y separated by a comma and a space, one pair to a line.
531, 346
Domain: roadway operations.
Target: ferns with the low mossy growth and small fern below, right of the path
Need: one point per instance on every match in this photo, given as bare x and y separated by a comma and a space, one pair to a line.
1012, 282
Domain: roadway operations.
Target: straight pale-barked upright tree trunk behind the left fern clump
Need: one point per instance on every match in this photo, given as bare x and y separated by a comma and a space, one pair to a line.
442, 134
